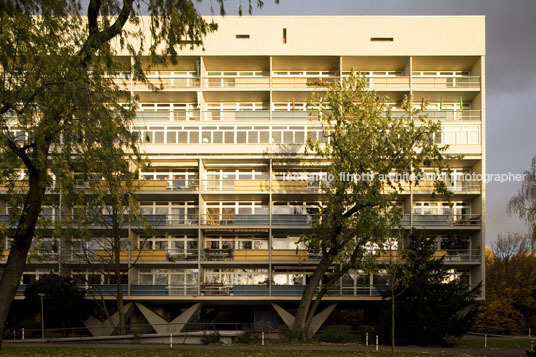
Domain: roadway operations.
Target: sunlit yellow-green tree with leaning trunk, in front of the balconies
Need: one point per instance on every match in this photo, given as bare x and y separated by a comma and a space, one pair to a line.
363, 138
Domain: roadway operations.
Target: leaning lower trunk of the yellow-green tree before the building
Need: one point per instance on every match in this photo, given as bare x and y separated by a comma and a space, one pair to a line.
301, 327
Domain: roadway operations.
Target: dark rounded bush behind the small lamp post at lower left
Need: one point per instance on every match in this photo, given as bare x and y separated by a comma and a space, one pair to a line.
64, 304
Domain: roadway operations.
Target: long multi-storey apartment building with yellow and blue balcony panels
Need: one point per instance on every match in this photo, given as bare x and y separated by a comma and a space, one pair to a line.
231, 122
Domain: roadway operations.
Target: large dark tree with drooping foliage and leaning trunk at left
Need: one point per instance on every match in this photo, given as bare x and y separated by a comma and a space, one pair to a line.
59, 95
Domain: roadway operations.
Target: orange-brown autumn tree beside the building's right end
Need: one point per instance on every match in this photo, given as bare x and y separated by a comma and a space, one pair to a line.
510, 286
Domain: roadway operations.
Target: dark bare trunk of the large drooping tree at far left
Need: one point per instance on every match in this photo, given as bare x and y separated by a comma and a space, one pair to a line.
22, 241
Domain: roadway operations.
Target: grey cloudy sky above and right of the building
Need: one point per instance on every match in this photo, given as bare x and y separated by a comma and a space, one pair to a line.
510, 73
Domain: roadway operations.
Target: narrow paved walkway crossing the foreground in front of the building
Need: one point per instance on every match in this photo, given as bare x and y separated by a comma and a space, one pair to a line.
409, 349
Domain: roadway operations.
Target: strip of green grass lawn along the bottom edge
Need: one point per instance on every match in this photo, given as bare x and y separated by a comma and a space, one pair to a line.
95, 352
